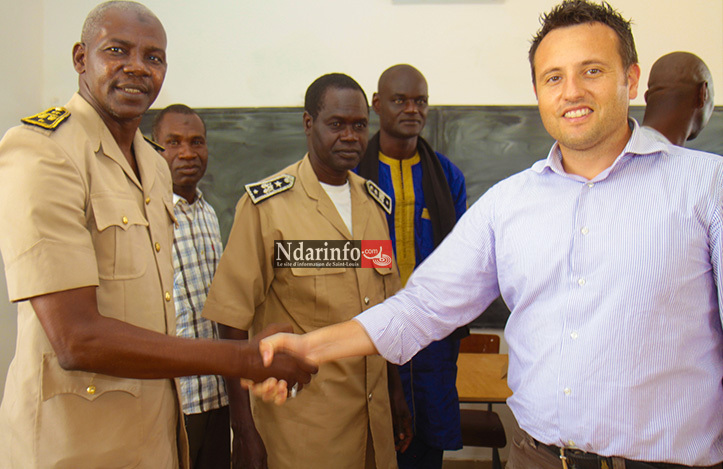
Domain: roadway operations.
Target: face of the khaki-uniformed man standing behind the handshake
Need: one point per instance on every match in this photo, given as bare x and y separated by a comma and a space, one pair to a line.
337, 138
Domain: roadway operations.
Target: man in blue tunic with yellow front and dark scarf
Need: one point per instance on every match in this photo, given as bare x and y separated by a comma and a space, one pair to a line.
429, 196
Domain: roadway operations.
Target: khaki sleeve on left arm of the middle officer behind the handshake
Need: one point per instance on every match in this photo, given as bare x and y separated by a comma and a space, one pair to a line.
245, 271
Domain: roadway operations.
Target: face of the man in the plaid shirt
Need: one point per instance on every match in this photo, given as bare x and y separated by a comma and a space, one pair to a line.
184, 138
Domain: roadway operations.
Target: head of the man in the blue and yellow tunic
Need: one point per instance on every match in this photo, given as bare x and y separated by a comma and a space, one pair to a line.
401, 103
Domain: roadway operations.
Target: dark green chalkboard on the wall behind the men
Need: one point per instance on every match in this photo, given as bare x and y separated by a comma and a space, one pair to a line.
488, 143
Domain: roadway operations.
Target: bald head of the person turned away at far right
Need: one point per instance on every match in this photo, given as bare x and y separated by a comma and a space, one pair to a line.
679, 96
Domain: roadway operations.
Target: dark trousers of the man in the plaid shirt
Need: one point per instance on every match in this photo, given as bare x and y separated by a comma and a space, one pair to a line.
209, 439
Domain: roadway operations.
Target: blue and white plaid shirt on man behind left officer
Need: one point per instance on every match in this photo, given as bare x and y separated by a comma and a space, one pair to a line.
196, 251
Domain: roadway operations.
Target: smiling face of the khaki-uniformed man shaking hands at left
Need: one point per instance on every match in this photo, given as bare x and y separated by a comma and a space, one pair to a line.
122, 65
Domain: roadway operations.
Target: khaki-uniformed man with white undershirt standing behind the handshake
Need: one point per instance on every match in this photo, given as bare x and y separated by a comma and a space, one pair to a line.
342, 419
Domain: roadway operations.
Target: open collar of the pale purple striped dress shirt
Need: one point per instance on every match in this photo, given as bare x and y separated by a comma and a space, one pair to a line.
639, 144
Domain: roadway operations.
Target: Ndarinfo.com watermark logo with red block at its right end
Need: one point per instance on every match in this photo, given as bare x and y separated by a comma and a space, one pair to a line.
332, 253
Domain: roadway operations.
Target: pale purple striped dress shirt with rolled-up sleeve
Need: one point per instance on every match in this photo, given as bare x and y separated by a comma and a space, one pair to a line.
615, 337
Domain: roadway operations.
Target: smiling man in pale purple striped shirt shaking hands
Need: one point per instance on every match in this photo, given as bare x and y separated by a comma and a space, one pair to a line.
608, 254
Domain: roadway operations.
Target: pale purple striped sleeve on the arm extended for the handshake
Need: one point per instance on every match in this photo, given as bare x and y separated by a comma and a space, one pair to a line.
446, 291
